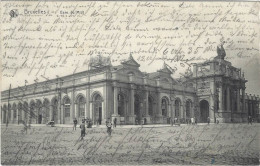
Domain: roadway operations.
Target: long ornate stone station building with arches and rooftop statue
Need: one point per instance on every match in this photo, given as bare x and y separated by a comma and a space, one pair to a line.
213, 89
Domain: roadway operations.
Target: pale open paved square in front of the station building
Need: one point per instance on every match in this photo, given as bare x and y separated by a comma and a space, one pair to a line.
161, 144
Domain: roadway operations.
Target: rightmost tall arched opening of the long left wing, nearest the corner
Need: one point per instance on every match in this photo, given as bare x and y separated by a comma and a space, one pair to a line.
97, 109
